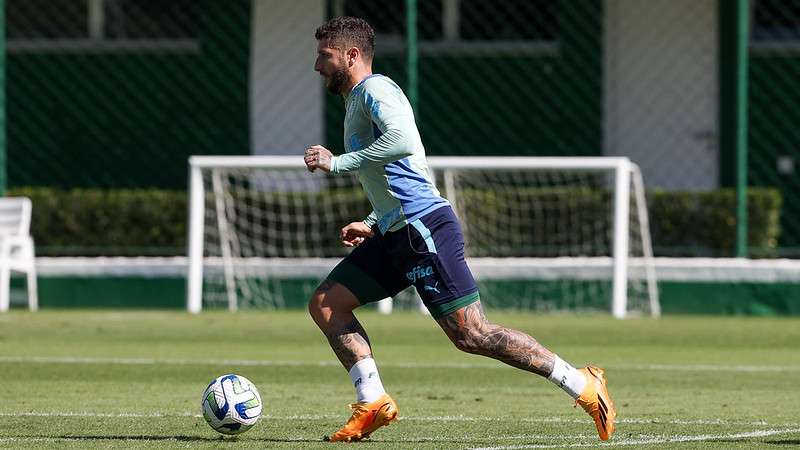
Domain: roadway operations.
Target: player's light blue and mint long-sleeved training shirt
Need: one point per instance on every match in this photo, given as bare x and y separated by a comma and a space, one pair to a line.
383, 144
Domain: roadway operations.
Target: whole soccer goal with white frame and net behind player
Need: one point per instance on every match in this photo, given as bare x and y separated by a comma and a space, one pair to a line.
543, 234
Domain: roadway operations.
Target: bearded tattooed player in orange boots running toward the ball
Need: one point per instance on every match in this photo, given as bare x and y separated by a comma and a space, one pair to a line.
412, 237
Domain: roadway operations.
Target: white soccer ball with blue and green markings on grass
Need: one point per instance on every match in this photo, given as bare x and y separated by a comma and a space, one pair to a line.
231, 404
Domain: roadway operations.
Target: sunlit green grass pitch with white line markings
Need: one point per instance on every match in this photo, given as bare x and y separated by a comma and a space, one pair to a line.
123, 379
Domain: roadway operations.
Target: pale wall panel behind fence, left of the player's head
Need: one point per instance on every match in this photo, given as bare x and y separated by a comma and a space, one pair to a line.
286, 95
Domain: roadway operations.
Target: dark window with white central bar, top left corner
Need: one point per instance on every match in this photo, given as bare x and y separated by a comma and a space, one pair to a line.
52, 25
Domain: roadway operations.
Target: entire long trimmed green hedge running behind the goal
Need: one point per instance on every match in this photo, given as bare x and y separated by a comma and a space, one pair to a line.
153, 222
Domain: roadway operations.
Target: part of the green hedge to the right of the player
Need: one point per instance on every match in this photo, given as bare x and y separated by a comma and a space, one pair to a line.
542, 221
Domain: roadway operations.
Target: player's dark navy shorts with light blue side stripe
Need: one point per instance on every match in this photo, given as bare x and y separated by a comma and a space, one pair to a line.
427, 253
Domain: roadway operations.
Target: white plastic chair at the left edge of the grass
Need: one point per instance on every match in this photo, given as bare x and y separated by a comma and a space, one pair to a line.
16, 249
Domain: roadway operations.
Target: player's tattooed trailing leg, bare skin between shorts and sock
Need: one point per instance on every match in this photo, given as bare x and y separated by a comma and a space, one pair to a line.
471, 332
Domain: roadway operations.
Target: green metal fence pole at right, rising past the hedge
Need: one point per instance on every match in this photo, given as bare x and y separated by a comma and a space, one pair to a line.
742, 47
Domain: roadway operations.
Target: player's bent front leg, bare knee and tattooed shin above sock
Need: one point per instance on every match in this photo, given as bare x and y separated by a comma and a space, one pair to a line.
331, 307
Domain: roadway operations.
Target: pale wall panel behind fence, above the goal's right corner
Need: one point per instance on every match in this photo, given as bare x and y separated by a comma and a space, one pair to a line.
661, 89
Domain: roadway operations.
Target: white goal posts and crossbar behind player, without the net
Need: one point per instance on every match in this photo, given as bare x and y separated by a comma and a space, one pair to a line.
624, 172
